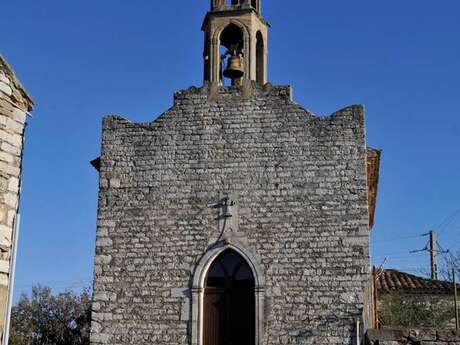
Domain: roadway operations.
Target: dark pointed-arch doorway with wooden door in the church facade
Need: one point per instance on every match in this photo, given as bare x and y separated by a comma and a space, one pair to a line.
229, 302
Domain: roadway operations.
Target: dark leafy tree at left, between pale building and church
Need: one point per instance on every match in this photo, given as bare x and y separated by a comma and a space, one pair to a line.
47, 319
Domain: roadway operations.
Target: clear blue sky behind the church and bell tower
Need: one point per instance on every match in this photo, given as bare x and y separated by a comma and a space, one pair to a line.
84, 59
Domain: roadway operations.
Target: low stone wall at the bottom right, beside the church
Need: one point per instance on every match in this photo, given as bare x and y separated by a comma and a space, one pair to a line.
400, 336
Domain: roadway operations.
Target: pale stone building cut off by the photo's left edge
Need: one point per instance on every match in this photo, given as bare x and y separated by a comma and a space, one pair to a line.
15, 104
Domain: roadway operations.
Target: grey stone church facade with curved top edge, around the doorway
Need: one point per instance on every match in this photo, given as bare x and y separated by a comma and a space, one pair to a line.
300, 185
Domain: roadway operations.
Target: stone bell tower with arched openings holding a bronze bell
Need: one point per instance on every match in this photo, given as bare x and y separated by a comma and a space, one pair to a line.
235, 45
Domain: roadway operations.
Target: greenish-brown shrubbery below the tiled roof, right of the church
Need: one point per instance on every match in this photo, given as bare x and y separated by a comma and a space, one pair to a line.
415, 312
